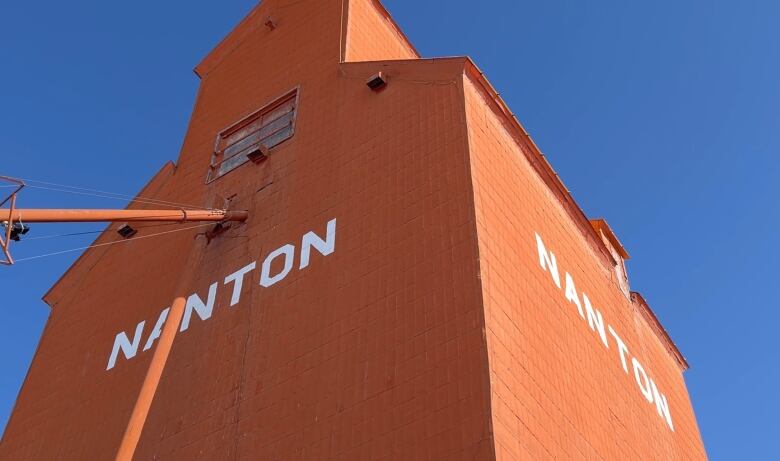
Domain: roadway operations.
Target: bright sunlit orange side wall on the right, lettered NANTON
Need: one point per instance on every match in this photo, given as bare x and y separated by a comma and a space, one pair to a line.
556, 390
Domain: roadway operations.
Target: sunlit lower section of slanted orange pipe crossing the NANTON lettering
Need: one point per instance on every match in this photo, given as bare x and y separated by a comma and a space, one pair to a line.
149, 388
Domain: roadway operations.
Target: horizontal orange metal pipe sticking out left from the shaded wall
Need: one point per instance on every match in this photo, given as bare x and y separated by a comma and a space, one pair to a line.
45, 215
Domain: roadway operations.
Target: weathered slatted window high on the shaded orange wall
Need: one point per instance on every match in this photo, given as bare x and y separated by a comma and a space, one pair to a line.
267, 127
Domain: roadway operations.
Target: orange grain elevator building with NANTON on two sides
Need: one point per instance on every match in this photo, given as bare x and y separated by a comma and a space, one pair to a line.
414, 281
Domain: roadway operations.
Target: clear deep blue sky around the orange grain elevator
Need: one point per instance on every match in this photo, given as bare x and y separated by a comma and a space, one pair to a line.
662, 116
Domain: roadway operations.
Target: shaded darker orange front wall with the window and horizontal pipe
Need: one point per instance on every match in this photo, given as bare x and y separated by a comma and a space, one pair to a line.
372, 352
